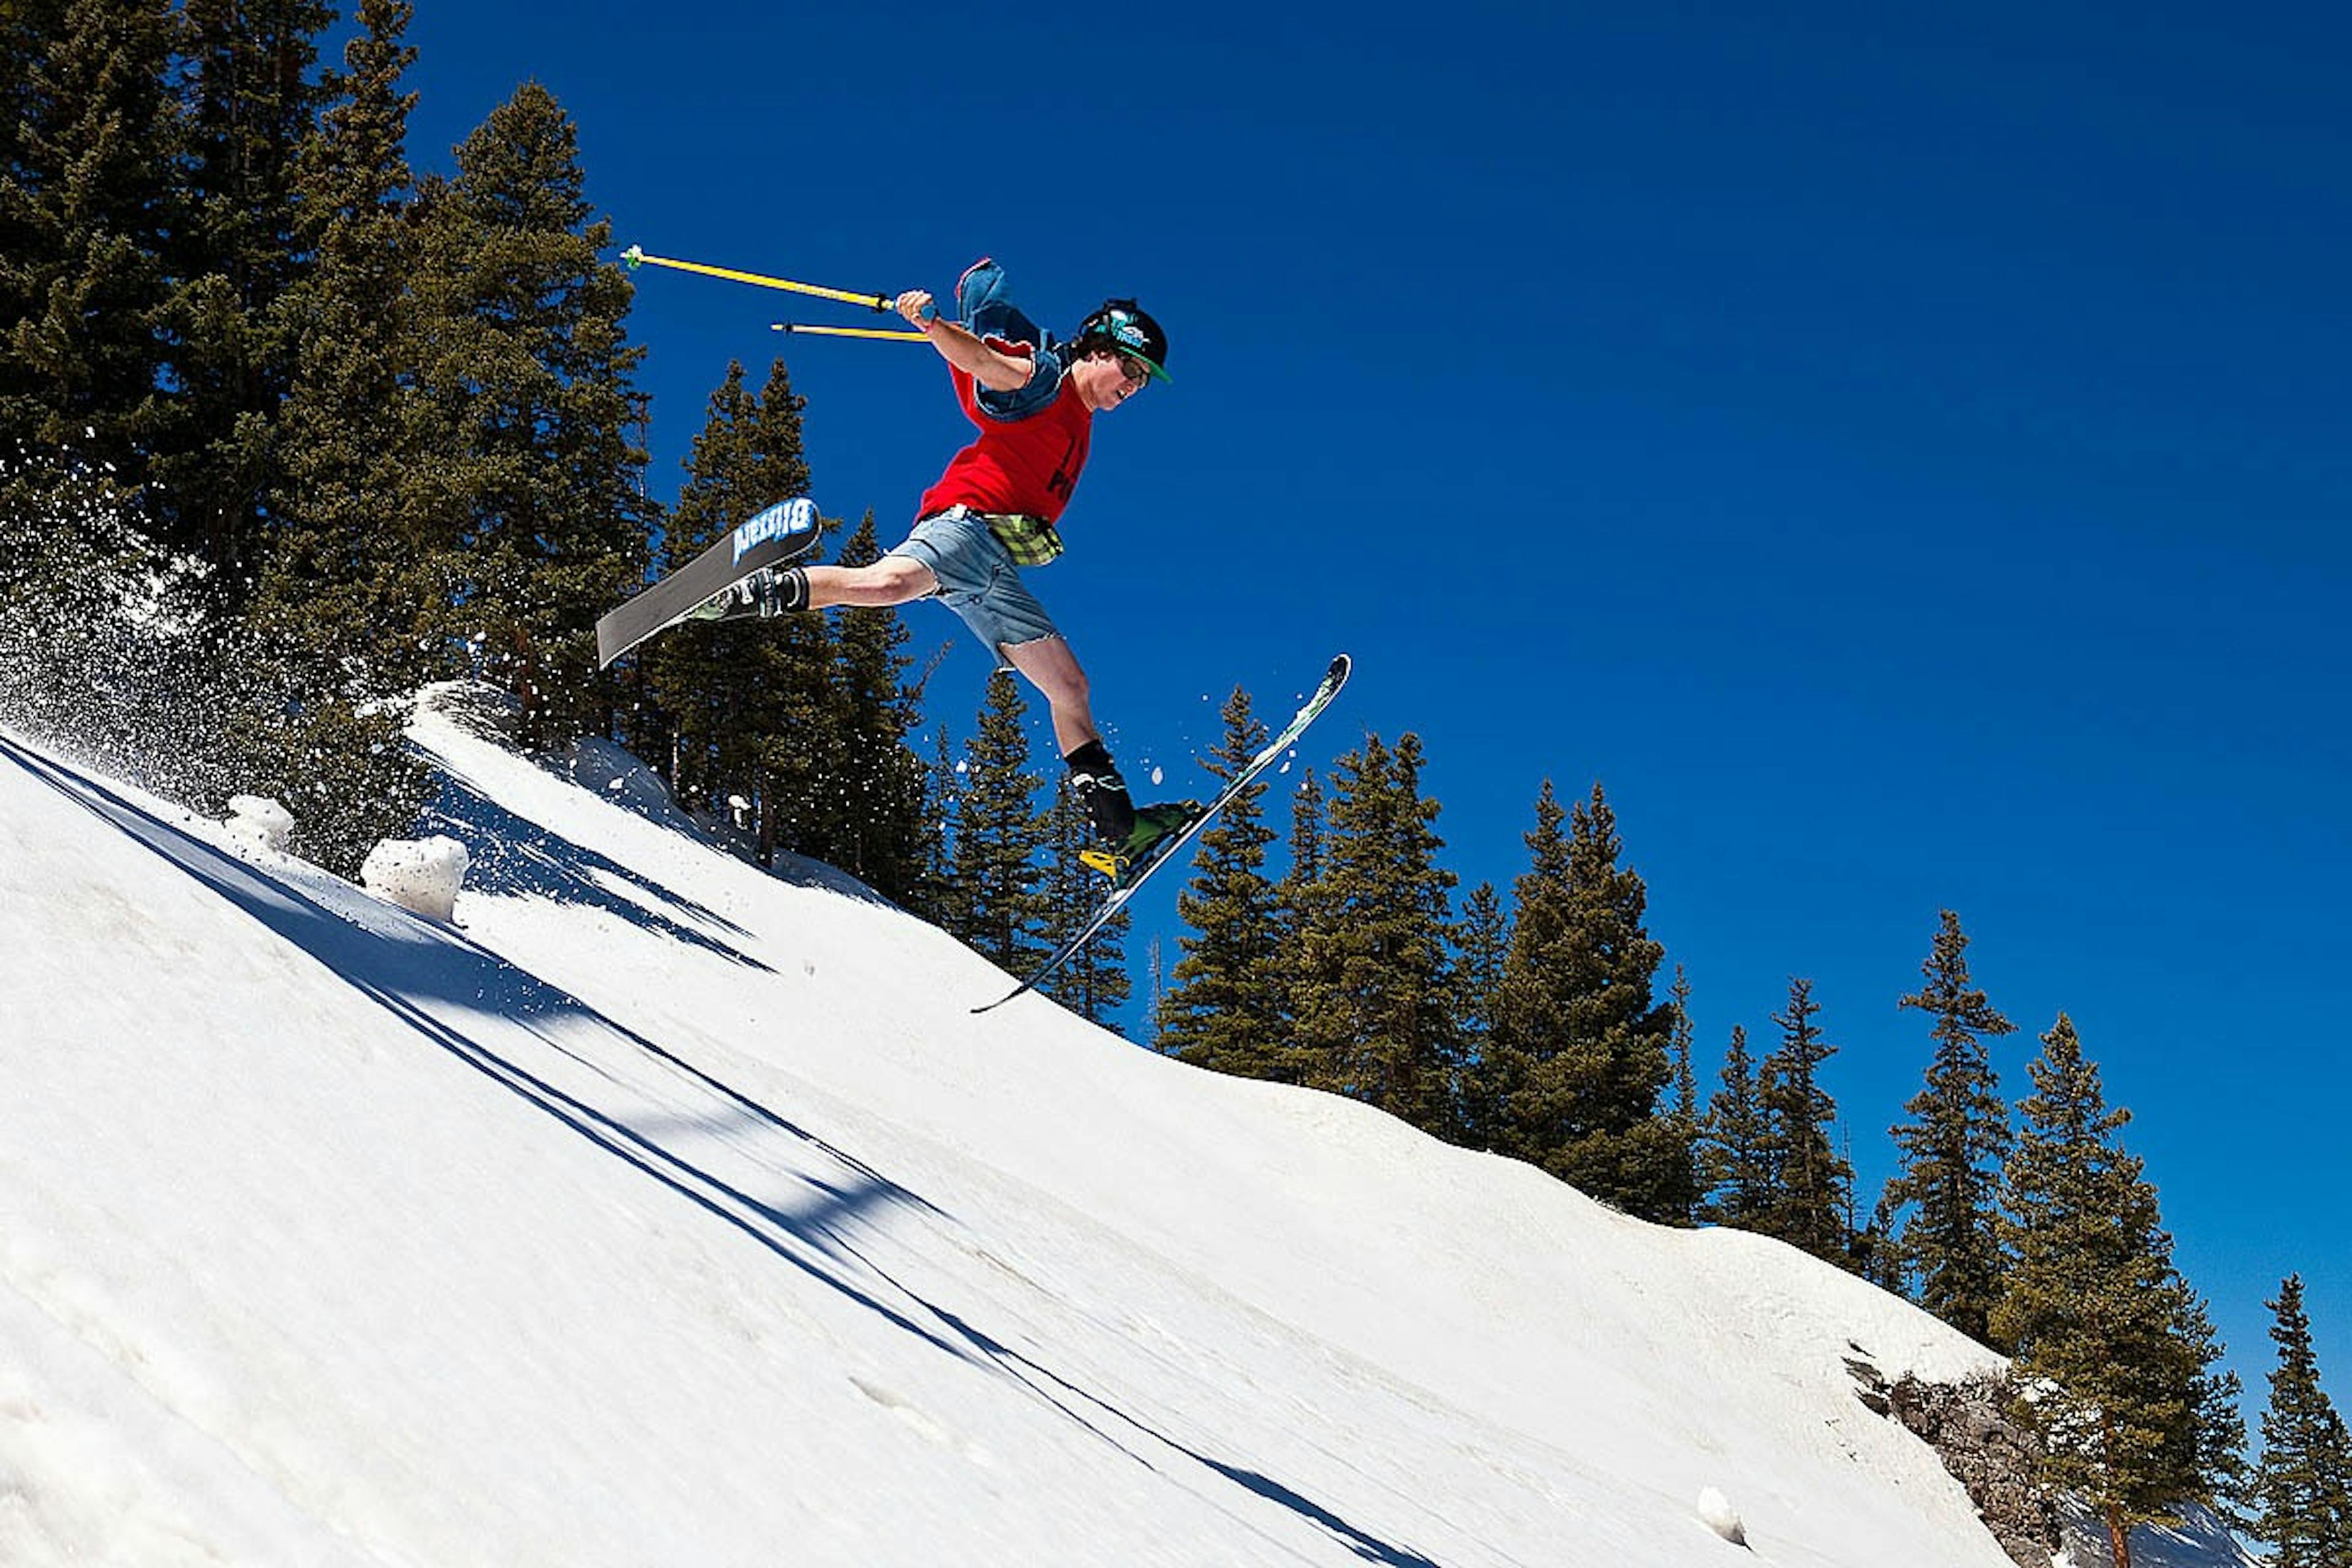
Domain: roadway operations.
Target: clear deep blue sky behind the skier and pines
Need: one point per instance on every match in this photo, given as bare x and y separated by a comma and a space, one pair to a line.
1899, 457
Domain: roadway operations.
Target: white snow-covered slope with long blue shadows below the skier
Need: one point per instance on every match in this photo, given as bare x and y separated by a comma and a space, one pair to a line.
669, 1212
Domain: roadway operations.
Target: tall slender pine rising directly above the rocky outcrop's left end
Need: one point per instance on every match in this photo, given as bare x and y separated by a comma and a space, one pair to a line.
1953, 1148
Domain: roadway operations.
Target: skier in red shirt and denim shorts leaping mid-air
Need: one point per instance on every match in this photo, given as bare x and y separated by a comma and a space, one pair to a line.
994, 511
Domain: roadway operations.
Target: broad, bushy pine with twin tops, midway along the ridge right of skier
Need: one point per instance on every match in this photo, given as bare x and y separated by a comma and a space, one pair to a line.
1579, 1043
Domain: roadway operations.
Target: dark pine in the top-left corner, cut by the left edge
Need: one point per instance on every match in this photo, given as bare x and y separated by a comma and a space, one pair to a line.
86, 217
